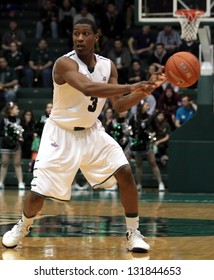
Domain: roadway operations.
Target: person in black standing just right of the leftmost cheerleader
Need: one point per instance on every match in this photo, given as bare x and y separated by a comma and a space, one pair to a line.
28, 124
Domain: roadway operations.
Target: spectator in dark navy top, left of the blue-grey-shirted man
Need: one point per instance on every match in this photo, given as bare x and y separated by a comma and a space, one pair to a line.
141, 44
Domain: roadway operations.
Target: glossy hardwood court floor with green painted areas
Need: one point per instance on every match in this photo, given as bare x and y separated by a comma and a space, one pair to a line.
91, 227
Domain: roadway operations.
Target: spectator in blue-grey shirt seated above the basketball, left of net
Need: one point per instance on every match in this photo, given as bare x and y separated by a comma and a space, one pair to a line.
170, 38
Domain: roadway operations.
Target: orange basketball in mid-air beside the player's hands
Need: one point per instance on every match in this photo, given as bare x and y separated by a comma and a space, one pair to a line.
182, 69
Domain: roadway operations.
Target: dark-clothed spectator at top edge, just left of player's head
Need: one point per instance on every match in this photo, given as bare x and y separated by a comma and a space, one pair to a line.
66, 16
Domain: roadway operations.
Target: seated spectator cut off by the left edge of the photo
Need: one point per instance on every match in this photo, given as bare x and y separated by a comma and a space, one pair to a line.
8, 83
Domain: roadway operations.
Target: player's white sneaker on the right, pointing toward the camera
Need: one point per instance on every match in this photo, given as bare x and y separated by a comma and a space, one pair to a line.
135, 242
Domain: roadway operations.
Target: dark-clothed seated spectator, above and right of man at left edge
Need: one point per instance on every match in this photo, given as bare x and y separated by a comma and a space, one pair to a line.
16, 61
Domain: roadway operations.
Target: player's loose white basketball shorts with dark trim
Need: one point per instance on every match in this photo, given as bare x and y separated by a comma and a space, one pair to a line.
62, 153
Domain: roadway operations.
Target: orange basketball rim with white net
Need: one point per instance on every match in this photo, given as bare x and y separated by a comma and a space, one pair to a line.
189, 21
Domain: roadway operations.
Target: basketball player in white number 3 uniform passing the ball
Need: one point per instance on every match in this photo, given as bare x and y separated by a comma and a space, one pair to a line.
74, 138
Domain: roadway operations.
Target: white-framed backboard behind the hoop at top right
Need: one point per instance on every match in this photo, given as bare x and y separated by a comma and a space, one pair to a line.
163, 11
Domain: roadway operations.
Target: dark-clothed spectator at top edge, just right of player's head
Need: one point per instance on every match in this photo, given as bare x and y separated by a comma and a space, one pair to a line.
112, 23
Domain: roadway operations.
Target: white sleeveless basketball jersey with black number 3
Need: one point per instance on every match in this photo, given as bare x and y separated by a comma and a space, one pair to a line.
71, 107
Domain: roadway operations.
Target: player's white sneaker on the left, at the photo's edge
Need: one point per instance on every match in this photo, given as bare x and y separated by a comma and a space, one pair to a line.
12, 237
